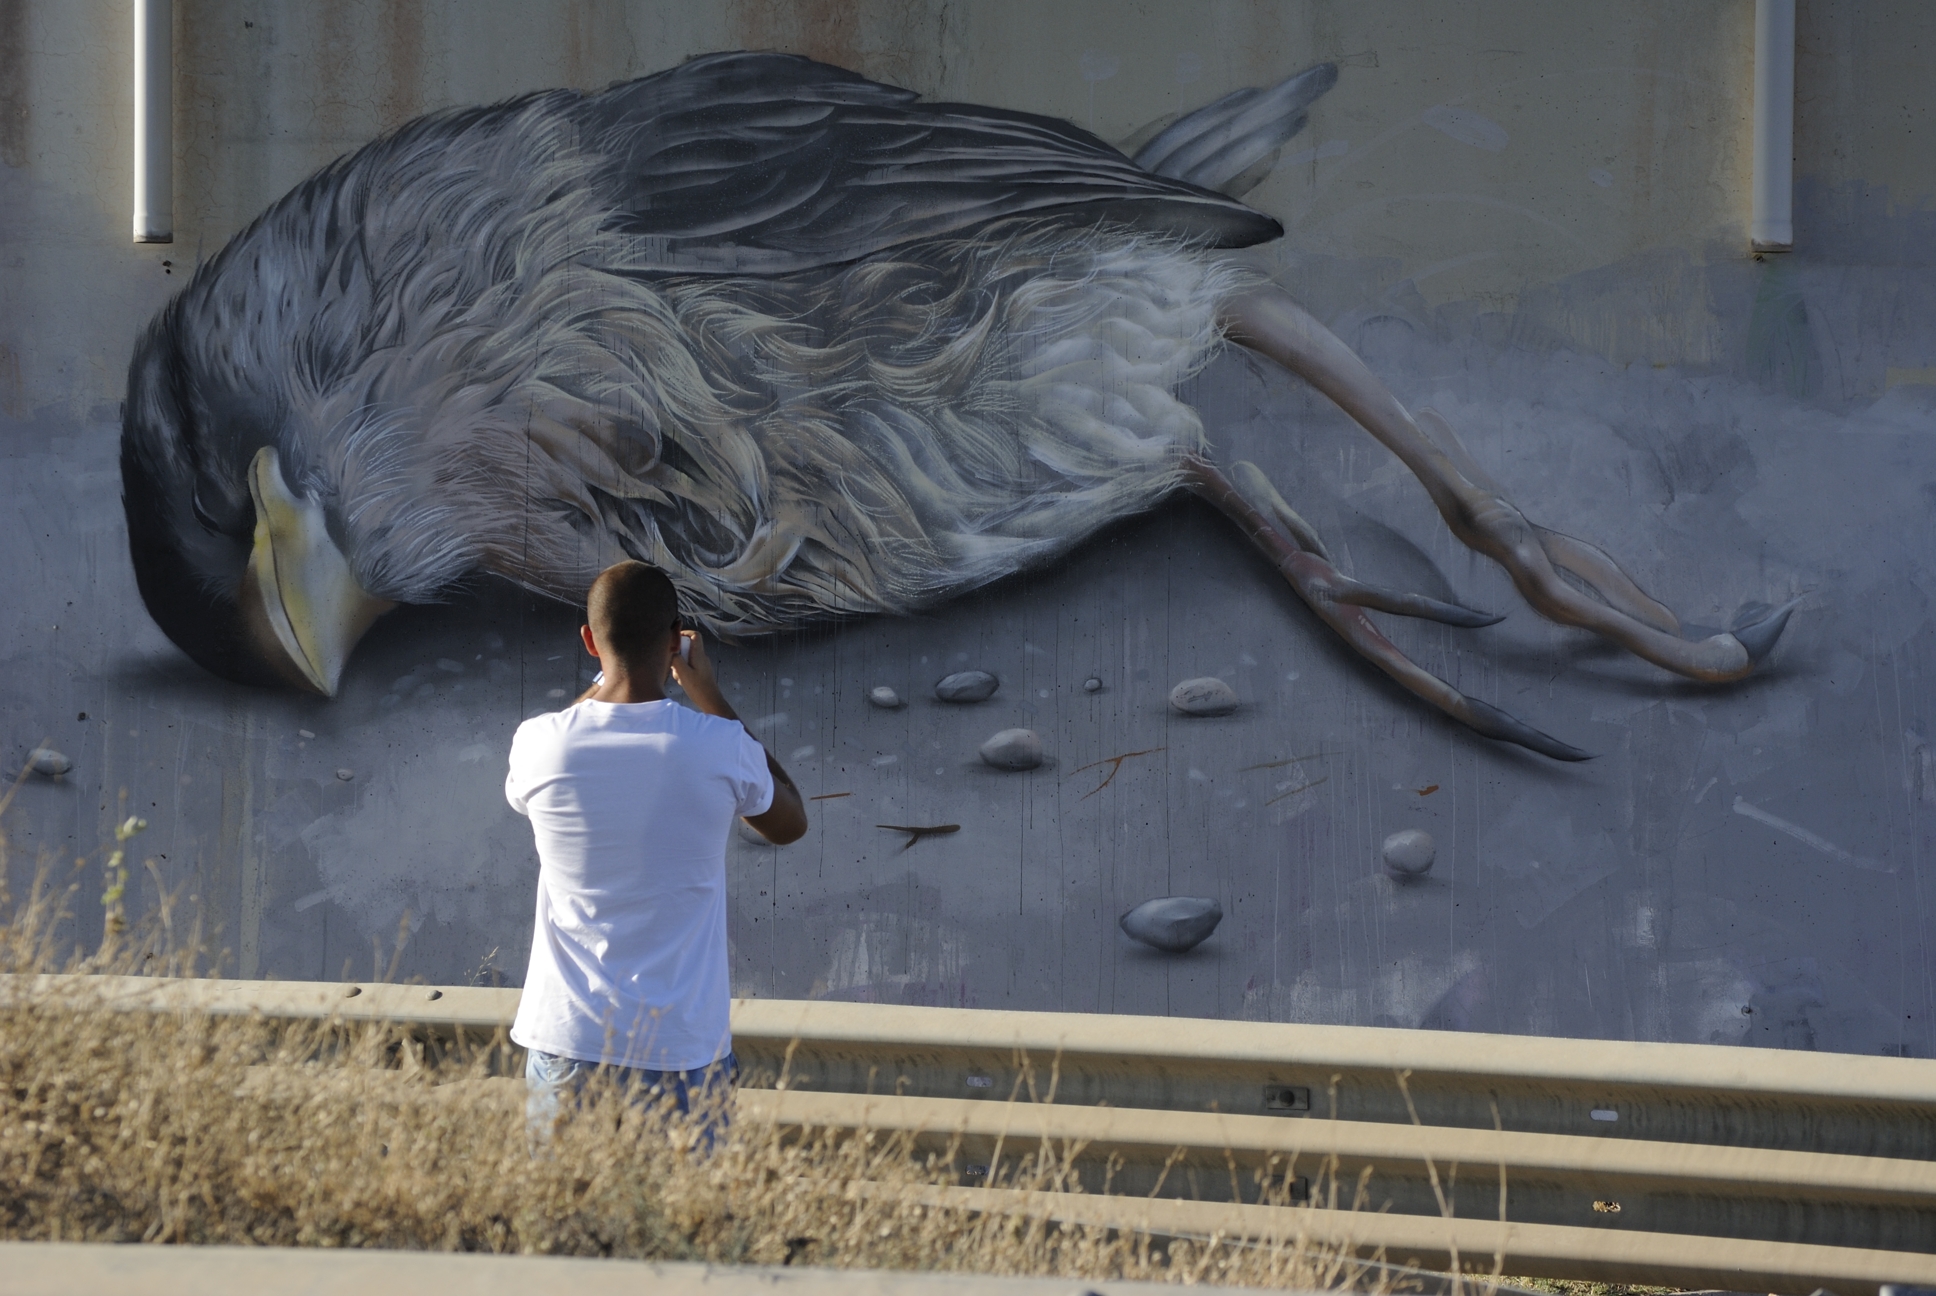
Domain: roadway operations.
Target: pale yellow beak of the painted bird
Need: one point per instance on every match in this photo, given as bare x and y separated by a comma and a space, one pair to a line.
301, 602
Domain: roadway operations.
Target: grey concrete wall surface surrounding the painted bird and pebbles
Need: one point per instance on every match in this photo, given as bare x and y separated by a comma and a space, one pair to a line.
1532, 218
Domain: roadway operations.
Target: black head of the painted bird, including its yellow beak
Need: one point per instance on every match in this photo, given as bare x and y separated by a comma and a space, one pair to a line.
245, 572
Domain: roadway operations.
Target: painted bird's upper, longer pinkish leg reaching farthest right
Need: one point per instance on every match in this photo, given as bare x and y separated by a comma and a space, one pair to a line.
1482, 516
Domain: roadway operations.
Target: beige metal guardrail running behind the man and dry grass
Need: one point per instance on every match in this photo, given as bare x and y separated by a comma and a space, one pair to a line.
1649, 1163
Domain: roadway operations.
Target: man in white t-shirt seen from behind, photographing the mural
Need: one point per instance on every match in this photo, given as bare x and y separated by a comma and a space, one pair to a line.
632, 797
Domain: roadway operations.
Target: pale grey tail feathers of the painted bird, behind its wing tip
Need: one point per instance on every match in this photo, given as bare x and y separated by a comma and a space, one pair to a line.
1223, 144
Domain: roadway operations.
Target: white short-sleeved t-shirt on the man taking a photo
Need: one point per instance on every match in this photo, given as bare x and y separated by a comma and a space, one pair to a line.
632, 805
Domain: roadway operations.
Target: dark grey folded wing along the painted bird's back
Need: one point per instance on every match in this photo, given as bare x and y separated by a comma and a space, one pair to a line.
773, 164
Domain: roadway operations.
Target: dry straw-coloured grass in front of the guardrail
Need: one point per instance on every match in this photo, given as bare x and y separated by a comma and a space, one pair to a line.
189, 1128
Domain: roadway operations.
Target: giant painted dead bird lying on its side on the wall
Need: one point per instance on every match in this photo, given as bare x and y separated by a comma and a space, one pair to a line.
808, 344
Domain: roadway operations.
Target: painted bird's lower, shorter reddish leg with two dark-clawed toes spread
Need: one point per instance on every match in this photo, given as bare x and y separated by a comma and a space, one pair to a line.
1341, 603
